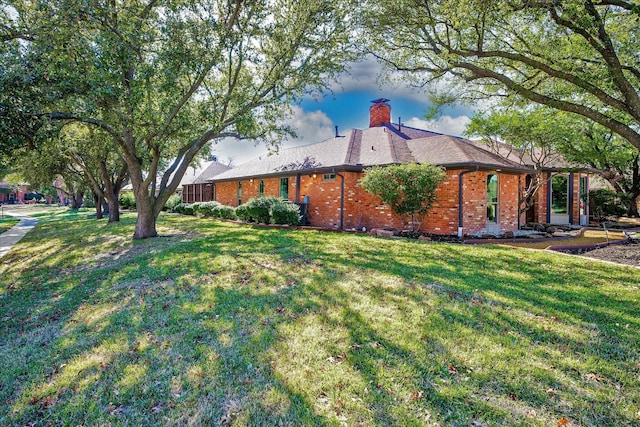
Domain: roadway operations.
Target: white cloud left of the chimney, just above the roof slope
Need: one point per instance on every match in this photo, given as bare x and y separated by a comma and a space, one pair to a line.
310, 127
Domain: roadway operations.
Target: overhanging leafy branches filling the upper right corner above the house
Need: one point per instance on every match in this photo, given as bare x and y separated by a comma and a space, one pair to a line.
578, 56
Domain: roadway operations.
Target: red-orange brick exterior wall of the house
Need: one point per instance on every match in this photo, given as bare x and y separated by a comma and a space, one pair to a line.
361, 209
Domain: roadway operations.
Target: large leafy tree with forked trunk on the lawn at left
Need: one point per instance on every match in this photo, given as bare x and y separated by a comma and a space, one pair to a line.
163, 78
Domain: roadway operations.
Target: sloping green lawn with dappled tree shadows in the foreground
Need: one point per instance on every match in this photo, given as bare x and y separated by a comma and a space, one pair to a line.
223, 324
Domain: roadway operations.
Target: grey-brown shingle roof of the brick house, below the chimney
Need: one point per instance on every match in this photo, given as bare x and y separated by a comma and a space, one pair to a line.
380, 145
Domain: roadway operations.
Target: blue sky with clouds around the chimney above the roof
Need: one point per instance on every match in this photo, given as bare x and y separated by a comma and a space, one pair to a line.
347, 106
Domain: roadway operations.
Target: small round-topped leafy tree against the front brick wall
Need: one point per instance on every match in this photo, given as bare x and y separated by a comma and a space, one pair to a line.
409, 189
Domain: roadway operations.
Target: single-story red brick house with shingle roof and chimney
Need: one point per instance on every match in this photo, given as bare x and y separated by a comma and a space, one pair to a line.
480, 194
